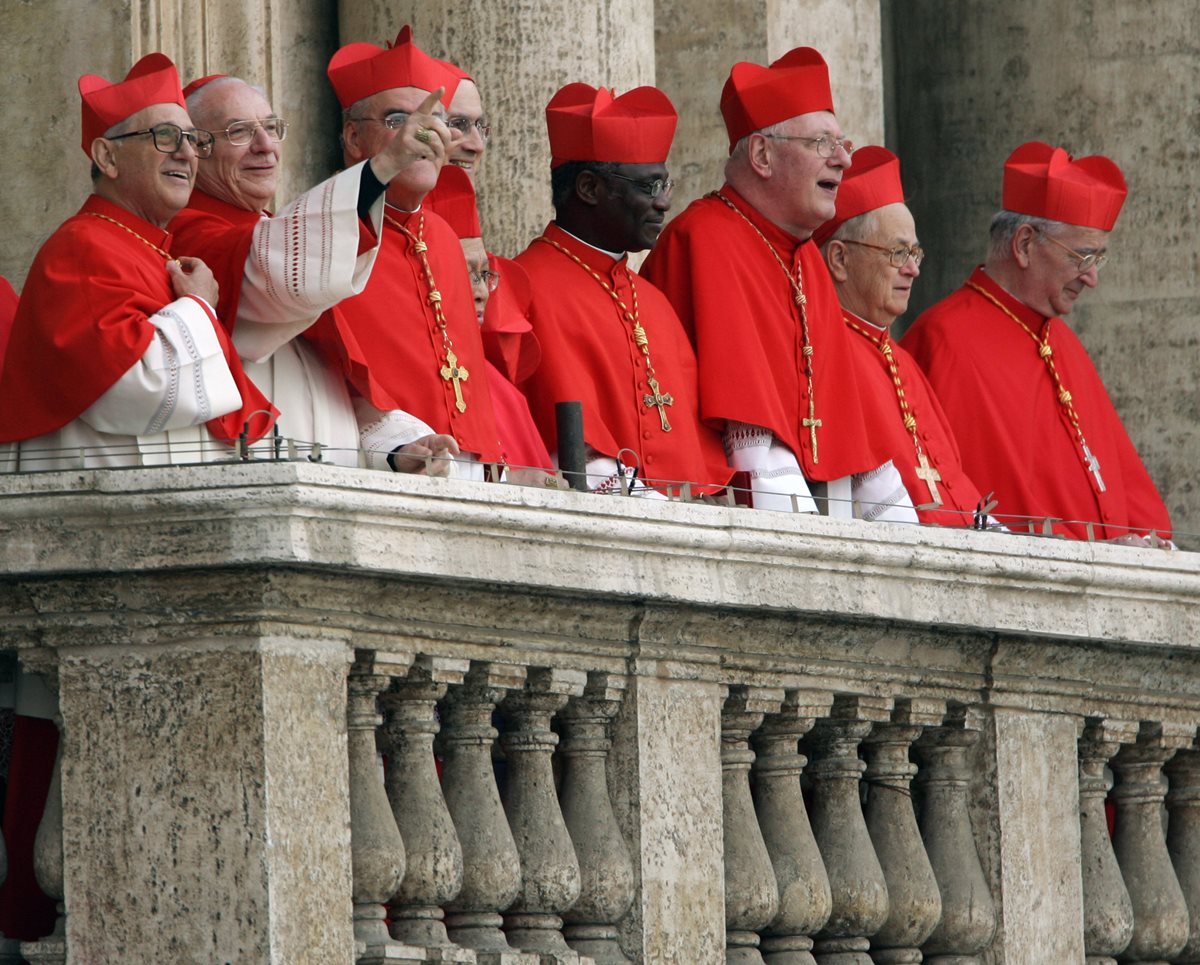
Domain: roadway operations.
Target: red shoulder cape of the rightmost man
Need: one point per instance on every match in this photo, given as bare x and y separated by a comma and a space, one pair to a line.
1016, 439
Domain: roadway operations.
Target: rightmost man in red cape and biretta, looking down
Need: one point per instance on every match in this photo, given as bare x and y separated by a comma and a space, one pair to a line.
1030, 412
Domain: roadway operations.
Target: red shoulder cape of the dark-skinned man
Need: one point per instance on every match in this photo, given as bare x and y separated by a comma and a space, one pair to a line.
589, 355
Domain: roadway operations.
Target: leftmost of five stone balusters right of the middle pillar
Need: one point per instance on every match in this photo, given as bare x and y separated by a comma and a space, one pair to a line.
752, 896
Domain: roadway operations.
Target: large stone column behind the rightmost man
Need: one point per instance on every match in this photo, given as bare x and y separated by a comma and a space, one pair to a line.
973, 81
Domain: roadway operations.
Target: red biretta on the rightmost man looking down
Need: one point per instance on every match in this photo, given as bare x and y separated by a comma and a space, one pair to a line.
1045, 182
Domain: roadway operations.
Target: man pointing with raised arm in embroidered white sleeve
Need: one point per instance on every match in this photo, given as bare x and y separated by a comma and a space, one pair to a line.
279, 273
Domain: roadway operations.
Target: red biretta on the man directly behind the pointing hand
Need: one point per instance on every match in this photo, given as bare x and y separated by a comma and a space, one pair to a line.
361, 70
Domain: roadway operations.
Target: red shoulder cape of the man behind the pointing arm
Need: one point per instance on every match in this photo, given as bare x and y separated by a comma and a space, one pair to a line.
388, 345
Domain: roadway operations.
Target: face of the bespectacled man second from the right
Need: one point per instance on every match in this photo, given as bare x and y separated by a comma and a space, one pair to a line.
875, 290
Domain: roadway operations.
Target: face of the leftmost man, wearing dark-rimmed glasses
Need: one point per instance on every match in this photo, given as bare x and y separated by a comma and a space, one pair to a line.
152, 184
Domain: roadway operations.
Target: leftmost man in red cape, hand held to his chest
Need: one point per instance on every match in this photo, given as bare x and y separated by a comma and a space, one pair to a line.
116, 356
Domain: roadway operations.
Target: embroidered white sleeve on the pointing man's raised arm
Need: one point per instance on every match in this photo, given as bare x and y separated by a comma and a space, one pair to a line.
302, 262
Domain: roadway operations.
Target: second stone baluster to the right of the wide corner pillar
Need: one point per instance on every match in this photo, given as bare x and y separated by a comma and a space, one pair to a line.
434, 873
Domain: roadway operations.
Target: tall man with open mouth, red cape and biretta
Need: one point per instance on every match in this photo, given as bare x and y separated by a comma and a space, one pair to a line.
776, 373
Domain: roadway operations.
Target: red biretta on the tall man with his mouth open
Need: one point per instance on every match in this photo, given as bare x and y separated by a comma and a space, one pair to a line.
755, 97
